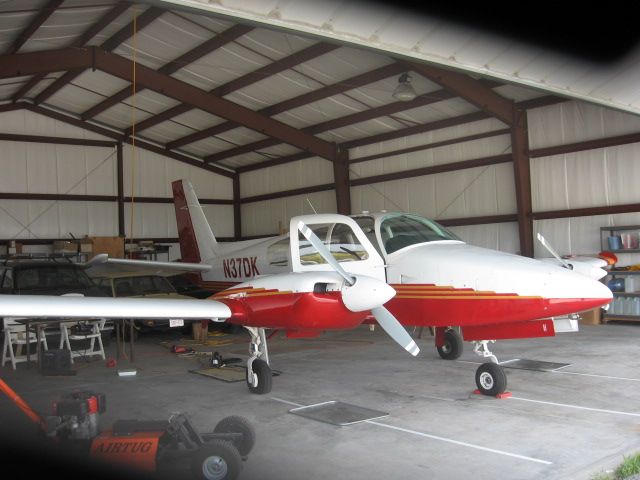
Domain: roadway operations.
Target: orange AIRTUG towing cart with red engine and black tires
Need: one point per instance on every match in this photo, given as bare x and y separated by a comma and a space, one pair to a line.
151, 446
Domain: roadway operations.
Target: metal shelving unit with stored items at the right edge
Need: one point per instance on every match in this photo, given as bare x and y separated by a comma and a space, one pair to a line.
625, 305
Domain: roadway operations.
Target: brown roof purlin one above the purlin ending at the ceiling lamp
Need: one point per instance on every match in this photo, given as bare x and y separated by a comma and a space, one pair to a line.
278, 66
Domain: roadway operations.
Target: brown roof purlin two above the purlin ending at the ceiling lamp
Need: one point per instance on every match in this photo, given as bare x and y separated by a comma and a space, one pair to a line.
192, 55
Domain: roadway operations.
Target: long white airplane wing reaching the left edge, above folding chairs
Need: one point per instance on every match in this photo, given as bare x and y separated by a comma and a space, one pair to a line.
45, 306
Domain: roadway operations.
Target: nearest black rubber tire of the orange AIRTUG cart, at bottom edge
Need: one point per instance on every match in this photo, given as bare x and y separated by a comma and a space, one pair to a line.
216, 460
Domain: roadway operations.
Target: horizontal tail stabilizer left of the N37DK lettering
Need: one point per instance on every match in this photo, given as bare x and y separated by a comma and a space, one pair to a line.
102, 266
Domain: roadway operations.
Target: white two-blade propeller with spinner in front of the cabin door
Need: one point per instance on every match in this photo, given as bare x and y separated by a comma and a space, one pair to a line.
363, 293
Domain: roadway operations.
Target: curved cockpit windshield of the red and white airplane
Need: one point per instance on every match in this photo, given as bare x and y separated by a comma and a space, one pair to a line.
399, 231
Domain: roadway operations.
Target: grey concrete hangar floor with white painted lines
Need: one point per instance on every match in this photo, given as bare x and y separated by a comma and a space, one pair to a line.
569, 424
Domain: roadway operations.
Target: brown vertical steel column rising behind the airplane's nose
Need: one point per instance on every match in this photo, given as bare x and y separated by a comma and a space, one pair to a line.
522, 174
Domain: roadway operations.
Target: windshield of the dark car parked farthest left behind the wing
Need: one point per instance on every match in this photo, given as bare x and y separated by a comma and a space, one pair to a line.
51, 277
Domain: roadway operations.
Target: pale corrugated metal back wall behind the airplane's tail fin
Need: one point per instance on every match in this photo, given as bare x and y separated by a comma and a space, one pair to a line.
69, 169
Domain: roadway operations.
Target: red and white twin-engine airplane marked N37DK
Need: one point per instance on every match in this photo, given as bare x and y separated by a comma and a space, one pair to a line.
338, 272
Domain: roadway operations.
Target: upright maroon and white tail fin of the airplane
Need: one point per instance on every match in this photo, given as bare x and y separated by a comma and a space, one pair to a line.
197, 242
